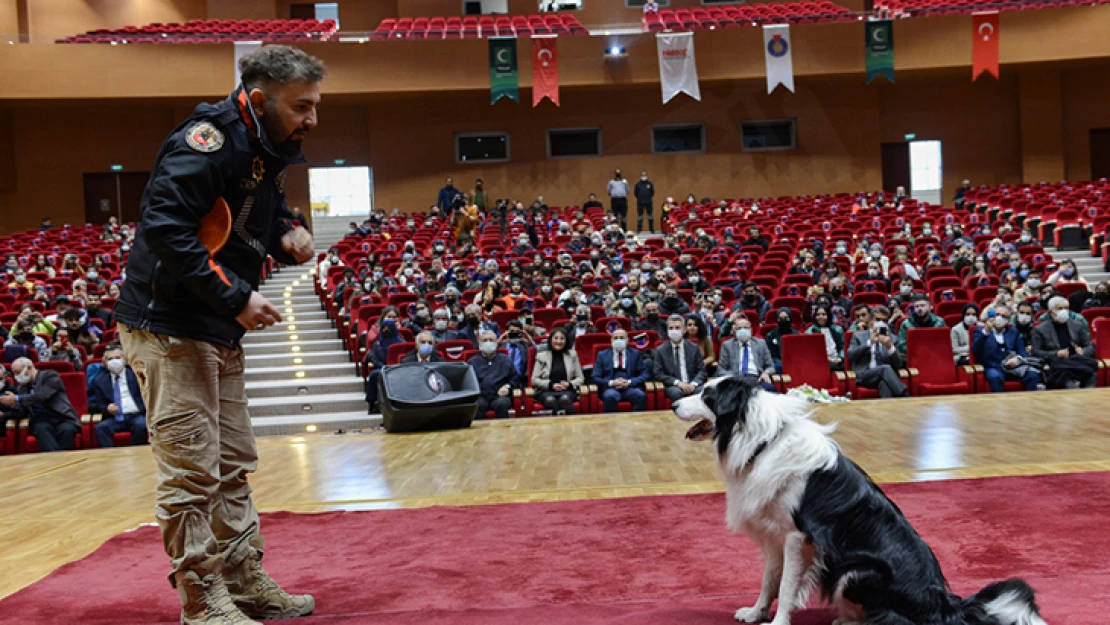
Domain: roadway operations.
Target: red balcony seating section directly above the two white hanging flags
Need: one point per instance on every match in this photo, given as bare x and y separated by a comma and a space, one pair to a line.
740, 16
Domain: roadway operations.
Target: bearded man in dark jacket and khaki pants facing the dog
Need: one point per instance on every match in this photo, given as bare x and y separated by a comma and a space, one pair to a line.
215, 208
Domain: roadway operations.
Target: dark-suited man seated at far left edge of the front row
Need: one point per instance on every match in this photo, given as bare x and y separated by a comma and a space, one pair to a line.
43, 395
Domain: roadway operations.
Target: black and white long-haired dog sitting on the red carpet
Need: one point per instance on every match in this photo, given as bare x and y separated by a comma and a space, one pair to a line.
820, 520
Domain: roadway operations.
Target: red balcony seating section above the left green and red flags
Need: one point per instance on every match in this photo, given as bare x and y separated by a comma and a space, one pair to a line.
479, 27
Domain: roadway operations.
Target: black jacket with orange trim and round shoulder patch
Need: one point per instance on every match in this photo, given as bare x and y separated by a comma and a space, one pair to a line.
214, 209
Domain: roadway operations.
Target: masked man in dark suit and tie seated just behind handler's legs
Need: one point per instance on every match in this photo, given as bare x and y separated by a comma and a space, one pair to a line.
117, 395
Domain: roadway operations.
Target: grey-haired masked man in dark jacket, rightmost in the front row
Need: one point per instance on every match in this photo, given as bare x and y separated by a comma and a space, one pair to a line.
1066, 346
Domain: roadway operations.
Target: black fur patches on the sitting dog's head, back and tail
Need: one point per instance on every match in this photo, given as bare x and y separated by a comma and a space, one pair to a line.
857, 530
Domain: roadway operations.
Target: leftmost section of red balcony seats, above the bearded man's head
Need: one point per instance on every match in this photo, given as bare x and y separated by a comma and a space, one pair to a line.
213, 32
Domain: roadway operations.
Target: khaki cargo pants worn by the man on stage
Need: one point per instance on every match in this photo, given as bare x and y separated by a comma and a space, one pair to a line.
204, 446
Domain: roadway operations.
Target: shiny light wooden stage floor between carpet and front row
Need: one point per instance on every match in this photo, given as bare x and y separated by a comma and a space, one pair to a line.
59, 508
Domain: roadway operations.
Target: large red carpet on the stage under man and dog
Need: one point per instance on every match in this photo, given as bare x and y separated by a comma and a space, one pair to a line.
647, 561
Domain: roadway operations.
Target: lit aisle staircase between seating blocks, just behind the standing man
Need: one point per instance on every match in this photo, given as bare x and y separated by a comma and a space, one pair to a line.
299, 376
